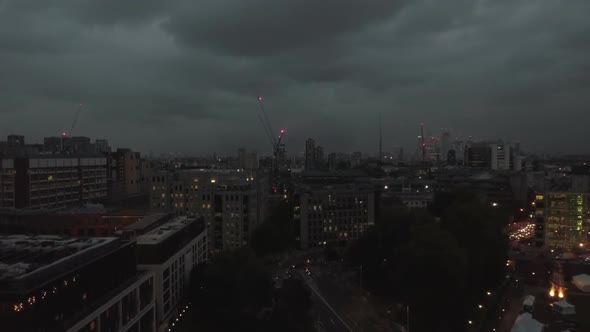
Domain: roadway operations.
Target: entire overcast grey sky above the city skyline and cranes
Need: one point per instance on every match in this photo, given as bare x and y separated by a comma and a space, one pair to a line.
183, 76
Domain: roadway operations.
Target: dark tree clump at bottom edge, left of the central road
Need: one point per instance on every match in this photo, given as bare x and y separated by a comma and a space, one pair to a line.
235, 292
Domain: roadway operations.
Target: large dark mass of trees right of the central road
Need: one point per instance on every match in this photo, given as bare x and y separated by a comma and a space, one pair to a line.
441, 267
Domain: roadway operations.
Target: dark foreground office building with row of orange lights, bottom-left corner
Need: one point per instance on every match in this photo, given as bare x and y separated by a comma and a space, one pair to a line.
51, 284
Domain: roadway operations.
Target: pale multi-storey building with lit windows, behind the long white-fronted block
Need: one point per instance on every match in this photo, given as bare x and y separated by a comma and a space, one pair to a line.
233, 202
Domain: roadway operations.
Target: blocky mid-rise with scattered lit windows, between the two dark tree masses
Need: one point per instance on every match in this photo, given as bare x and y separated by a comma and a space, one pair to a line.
333, 208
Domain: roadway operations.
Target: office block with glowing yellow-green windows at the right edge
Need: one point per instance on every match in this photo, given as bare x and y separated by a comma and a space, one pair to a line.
567, 220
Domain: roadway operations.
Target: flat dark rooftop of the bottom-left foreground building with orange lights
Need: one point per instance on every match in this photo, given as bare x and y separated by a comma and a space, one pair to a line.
23, 255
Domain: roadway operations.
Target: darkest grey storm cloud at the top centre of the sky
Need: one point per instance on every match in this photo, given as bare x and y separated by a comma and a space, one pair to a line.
264, 27
